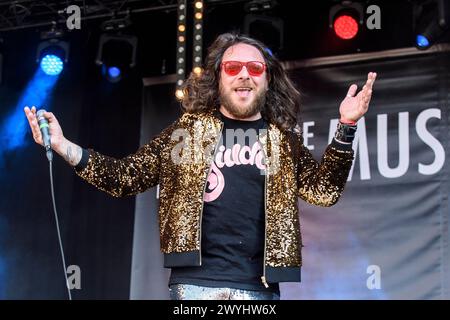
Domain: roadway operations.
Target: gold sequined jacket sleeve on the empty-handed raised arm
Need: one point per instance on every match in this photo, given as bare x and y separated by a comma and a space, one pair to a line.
323, 183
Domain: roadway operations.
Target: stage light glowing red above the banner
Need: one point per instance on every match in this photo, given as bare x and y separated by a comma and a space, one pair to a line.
345, 19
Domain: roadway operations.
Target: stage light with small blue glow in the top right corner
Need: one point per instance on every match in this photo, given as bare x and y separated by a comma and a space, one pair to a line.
431, 20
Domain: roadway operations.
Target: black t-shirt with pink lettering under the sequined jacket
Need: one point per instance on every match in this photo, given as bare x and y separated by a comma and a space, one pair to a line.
233, 214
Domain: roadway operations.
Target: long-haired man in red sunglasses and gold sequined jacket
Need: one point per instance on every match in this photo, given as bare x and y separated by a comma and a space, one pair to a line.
230, 172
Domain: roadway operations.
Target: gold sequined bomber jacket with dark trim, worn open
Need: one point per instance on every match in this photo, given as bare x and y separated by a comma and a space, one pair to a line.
179, 160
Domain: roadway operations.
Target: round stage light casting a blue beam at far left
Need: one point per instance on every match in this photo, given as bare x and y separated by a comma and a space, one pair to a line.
52, 53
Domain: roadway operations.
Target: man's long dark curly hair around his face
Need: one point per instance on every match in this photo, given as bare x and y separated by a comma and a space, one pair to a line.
282, 99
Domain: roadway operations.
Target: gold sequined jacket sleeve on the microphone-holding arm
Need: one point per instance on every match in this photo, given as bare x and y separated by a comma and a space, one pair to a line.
130, 175
